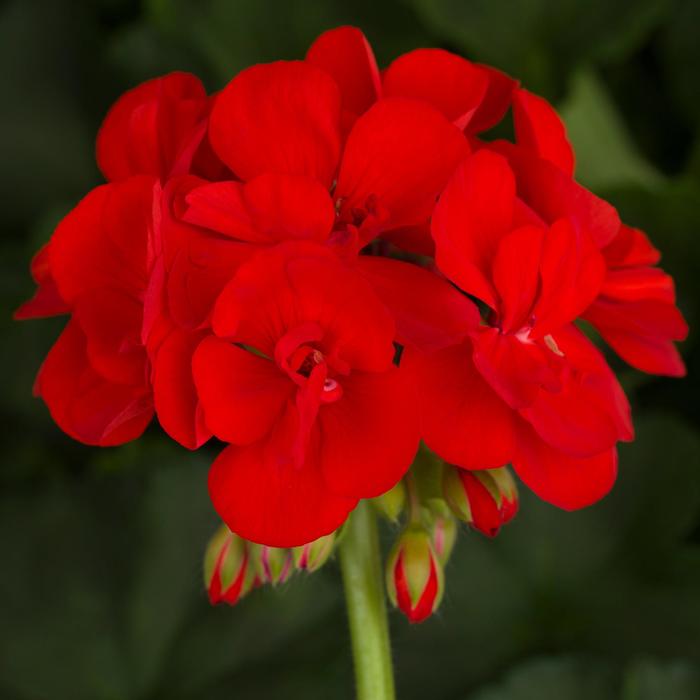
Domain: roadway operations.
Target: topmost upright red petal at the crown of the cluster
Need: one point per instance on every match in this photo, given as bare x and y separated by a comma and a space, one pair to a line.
345, 54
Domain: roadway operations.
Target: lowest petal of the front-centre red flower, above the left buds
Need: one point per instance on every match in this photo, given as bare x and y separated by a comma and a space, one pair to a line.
267, 499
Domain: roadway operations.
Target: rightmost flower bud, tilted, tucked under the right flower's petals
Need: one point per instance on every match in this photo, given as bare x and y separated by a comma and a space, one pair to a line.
486, 499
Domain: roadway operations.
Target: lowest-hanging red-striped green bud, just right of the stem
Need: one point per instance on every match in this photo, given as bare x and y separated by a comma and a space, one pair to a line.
414, 575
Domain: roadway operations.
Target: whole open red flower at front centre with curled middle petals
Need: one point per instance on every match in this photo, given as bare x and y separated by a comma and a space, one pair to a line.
299, 378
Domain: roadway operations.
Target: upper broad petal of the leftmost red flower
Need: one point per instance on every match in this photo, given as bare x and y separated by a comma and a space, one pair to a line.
103, 241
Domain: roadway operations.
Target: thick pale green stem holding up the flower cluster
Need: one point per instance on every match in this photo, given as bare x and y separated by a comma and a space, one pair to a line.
361, 565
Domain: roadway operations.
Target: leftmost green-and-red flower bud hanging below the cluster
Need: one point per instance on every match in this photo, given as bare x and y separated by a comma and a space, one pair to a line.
226, 568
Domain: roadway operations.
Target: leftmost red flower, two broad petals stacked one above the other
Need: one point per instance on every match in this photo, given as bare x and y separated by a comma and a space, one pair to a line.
95, 379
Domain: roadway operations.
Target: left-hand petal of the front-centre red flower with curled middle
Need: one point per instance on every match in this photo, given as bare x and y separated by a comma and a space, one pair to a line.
242, 394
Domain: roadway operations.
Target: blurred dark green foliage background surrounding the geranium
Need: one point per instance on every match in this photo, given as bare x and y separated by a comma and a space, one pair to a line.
100, 586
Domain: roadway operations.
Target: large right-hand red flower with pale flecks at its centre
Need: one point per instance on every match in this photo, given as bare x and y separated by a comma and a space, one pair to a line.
533, 388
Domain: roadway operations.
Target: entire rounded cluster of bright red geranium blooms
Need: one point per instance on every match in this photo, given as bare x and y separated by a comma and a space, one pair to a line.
325, 263
